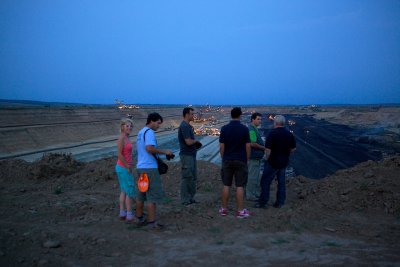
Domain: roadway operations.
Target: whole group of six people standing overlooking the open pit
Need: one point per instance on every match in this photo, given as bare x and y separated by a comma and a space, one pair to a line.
242, 151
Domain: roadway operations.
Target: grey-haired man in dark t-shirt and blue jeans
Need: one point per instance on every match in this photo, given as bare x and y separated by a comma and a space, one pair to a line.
280, 143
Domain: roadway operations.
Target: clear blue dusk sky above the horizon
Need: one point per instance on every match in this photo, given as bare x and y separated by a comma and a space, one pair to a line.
197, 52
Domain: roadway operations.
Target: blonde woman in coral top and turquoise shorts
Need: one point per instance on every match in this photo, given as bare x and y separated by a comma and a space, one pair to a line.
124, 171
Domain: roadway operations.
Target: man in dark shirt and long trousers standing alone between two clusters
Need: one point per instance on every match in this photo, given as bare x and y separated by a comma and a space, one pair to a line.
188, 150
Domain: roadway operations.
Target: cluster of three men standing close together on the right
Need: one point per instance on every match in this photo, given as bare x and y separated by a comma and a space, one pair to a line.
243, 150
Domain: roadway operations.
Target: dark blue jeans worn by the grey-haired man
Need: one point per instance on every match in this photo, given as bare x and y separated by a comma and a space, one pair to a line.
268, 176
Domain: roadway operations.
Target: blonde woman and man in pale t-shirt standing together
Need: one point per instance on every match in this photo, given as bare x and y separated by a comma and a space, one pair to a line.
147, 152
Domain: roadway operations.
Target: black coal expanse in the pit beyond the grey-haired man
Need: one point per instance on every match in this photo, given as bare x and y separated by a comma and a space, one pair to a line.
324, 147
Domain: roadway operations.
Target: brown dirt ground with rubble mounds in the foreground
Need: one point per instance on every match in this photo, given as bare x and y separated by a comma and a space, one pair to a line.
60, 212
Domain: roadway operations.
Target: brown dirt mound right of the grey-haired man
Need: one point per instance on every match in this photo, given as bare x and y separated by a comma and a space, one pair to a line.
370, 186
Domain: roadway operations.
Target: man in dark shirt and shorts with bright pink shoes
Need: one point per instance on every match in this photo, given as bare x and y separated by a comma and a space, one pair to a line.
235, 152
